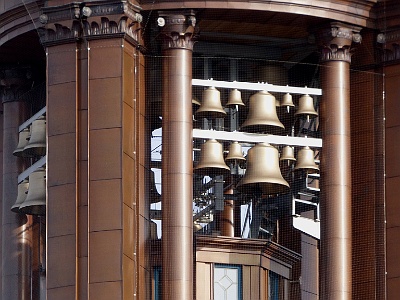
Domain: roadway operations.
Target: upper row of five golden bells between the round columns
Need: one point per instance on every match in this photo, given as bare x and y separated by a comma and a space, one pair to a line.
262, 116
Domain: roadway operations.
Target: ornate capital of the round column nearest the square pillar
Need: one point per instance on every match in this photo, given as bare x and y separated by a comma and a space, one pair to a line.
178, 29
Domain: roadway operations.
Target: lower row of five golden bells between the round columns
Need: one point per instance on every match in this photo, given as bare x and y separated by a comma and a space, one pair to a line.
262, 167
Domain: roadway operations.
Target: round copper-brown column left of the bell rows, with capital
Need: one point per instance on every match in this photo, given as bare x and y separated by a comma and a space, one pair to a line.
177, 169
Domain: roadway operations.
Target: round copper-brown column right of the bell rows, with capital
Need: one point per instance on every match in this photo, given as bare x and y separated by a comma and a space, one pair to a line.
336, 264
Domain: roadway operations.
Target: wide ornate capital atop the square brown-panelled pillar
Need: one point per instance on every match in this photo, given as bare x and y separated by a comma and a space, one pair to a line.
90, 20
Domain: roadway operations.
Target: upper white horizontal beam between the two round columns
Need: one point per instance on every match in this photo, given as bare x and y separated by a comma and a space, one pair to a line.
257, 87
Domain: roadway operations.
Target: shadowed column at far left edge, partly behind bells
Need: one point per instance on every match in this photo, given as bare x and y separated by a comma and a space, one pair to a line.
16, 228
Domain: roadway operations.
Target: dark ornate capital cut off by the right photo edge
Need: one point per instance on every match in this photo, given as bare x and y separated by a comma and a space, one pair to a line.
389, 45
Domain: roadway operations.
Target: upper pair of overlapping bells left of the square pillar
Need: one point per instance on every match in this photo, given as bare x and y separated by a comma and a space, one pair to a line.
32, 140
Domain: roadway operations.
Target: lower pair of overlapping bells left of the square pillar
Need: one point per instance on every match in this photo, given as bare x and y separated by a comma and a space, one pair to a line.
31, 199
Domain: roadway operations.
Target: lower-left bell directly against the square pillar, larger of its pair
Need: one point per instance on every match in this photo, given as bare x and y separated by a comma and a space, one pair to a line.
35, 202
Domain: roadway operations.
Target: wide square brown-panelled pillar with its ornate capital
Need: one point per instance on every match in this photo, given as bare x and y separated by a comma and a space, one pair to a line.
98, 208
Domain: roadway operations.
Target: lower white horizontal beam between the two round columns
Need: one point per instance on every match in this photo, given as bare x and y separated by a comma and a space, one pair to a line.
255, 138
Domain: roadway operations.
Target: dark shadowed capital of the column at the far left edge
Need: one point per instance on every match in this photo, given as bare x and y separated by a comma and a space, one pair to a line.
14, 83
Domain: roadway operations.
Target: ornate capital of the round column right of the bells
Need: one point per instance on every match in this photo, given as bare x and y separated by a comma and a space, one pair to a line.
336, 40
